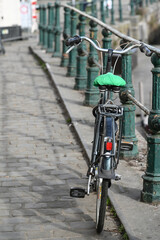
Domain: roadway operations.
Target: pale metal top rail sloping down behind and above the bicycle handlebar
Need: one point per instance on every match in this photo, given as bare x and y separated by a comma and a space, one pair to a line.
113, 30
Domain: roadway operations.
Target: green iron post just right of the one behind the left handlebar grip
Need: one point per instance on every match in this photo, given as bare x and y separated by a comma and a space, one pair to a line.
81, 75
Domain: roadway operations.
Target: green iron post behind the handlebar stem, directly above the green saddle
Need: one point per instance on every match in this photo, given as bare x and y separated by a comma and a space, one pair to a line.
107, 42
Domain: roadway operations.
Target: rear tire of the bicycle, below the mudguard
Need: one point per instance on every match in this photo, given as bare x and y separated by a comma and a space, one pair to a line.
102, 194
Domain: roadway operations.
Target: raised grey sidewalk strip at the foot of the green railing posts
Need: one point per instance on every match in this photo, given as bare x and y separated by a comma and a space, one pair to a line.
141, 221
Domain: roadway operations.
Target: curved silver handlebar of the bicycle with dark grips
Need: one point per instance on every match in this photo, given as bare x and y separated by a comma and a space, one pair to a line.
72, 42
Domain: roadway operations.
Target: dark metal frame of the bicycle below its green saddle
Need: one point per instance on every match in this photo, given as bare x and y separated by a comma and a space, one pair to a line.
99, 138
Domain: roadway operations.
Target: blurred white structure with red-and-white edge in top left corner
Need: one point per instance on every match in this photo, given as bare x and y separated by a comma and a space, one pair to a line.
17, 15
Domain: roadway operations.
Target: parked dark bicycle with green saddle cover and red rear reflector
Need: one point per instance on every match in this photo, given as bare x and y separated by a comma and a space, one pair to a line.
107, 141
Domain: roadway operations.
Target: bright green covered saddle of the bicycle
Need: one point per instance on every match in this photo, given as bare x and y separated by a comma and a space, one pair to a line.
109, 79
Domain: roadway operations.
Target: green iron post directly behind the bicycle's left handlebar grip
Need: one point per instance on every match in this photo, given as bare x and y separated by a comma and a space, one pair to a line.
71, 69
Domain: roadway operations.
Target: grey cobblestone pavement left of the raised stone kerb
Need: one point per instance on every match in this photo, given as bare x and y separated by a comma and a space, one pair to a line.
39, 159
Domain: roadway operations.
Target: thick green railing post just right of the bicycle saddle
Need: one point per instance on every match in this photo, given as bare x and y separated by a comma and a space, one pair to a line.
128, 123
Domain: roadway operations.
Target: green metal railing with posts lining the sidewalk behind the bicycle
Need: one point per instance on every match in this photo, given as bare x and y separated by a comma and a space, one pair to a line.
84, 77
